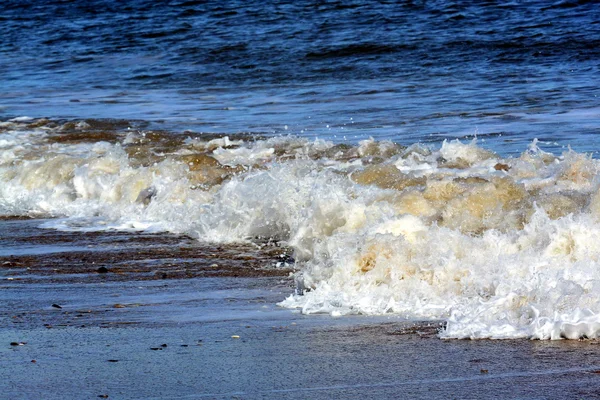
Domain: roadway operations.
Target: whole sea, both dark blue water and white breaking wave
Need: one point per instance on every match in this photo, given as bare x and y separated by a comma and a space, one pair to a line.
424, 160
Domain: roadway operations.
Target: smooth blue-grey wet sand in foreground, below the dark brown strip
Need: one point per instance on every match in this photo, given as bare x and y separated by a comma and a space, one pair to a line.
243, 346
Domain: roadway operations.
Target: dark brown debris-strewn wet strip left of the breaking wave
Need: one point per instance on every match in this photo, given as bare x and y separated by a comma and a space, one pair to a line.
84, 257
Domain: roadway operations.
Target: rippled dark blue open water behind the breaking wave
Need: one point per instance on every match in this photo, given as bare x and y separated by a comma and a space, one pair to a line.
411, 71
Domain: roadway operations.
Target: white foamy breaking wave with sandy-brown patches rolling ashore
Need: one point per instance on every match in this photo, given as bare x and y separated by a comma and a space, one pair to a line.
498, 248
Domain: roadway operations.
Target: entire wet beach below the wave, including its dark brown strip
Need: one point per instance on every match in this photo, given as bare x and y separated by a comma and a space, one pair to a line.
171, 318
